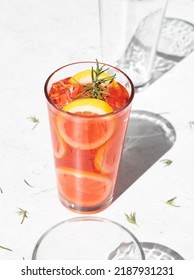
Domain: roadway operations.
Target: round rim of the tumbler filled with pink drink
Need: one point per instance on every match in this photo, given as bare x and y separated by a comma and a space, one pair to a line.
93, 116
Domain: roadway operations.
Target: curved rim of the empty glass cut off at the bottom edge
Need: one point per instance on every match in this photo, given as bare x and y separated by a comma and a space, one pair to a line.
87, 218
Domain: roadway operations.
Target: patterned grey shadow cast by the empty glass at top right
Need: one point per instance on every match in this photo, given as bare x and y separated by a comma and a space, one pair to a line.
176, 42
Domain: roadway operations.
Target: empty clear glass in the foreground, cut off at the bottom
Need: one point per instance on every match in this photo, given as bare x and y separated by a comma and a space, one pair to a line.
88, 238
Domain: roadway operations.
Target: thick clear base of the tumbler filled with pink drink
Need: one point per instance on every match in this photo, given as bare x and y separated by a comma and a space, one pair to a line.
85, 209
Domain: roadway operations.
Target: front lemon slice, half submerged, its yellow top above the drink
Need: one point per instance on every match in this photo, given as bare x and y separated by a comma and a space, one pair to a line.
88, 132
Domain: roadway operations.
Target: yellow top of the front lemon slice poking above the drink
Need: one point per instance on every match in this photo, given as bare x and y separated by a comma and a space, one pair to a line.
88, 106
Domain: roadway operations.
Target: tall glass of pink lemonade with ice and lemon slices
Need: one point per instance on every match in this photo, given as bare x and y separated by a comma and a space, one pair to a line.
87, 136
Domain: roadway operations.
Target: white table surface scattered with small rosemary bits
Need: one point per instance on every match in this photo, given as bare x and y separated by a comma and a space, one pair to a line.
36, 38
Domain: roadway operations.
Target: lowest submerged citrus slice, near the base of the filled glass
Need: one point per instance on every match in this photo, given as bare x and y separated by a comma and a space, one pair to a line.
83, 188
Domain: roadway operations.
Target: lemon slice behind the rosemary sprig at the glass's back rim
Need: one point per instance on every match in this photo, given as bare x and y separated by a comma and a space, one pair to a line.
85, 77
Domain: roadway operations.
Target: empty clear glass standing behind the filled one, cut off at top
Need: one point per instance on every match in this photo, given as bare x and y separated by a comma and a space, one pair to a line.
130, 31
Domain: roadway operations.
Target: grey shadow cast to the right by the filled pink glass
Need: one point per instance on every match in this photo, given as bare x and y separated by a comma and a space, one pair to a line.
148, 138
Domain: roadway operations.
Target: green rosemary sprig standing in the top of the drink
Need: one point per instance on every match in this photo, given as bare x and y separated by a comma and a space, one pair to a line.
98, 89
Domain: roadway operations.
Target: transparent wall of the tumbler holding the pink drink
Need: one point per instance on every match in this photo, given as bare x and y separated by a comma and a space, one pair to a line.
87, 148
